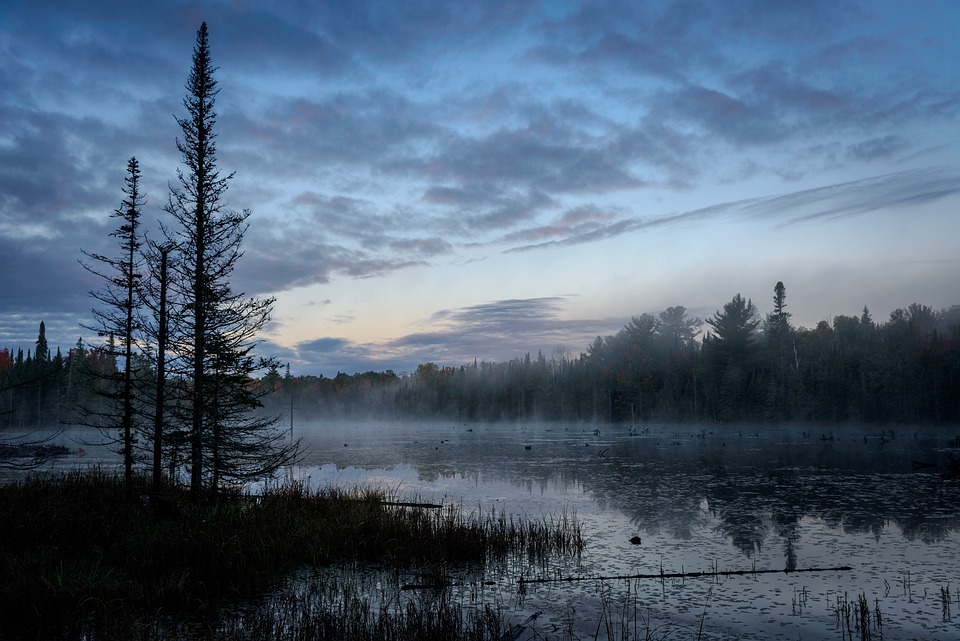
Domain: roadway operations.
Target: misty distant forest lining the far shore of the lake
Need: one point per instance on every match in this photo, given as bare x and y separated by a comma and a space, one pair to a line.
735, 367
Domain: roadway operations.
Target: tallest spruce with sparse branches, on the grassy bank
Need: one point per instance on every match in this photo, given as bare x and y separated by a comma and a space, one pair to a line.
215, 327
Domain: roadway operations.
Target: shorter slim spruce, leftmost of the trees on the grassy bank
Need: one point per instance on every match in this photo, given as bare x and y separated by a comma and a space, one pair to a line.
115, 317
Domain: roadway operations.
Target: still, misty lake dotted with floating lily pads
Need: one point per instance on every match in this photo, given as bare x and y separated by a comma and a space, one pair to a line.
700, 499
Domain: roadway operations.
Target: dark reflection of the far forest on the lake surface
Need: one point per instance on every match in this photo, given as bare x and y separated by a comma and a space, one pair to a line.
672, 481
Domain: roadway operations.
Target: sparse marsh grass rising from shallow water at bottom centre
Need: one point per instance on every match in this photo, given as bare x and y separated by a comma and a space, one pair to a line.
334, 605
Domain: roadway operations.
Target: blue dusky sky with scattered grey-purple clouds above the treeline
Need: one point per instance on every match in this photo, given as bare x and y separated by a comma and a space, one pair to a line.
456, 181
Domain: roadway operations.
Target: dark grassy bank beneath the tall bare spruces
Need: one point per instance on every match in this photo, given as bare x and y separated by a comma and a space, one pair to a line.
81, 557
